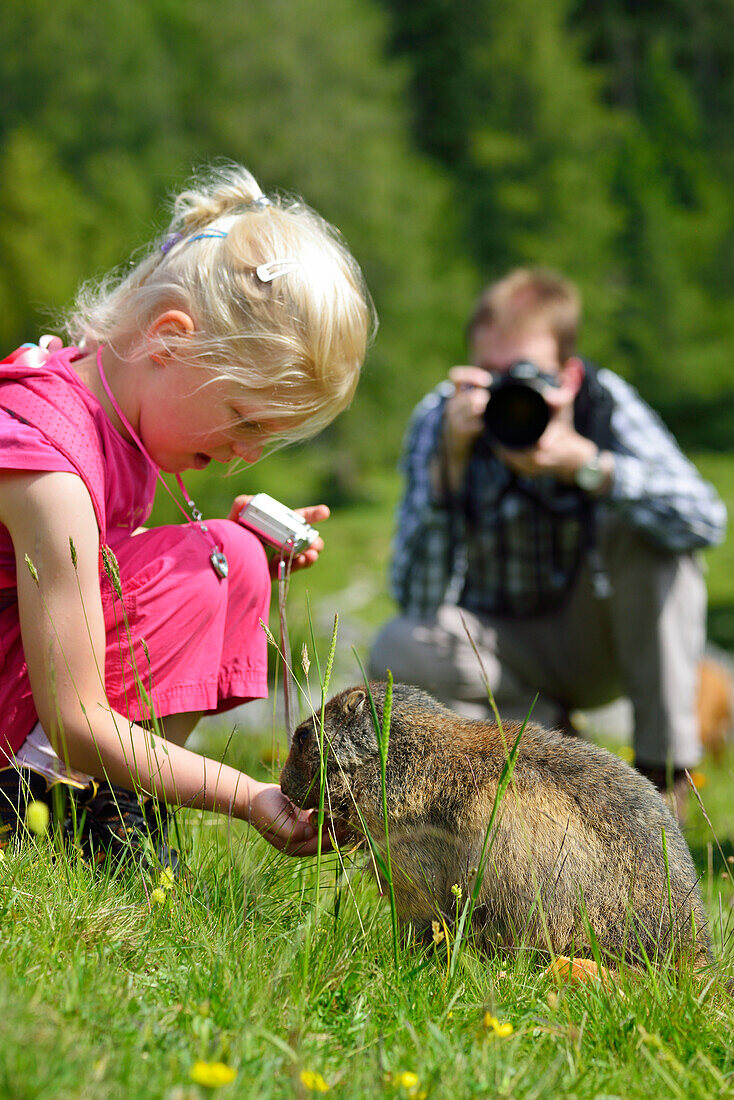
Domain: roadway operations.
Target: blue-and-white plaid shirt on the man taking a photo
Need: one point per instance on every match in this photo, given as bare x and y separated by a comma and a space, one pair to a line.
512, 545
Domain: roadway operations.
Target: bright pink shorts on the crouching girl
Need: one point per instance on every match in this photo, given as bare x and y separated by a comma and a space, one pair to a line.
188, 641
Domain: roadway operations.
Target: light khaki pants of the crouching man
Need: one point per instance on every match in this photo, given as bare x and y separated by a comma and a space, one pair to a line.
644, 642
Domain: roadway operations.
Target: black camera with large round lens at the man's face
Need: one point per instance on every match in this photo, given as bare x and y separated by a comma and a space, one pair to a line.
517, 414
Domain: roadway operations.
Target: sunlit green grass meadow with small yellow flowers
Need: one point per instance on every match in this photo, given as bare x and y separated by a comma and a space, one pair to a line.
250, 975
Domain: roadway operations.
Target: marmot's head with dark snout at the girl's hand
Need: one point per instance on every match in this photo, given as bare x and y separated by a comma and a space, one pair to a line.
349, 743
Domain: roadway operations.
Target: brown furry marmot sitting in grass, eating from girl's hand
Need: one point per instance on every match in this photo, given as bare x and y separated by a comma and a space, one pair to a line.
577, 841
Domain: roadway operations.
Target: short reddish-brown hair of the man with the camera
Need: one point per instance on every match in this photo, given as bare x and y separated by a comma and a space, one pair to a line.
528, 300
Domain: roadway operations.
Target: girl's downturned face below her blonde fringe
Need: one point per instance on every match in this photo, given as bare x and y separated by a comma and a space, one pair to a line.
185, 425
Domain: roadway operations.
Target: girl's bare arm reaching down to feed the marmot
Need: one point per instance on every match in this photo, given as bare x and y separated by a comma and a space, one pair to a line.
64, 643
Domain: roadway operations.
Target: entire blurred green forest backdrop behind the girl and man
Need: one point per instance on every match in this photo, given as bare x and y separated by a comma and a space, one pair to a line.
450, 140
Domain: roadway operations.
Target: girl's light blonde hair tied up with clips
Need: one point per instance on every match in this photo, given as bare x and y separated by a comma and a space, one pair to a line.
295, 344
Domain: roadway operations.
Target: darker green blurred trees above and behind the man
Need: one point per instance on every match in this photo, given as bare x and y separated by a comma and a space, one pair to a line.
597, 139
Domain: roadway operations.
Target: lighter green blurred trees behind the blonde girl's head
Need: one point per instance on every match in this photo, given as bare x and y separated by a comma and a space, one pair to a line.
111, 106
